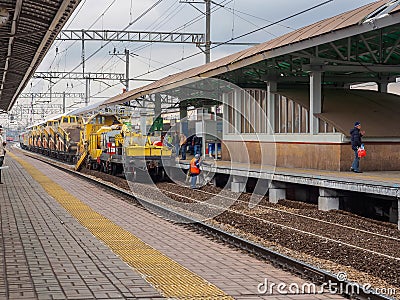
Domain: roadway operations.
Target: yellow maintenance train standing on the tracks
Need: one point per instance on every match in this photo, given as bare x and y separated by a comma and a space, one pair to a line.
103, 142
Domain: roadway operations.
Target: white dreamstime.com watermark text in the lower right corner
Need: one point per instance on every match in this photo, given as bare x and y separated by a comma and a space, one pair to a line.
341, 287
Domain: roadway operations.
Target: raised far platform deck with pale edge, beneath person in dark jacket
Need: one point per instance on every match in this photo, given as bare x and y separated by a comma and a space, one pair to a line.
383, 183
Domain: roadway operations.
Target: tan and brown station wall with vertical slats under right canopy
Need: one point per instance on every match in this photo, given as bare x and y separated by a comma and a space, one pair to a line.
291, 146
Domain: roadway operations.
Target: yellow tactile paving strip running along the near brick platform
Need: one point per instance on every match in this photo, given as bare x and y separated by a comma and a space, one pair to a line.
166, 275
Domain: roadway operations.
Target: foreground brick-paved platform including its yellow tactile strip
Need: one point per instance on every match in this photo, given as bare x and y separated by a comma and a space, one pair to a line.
62, 238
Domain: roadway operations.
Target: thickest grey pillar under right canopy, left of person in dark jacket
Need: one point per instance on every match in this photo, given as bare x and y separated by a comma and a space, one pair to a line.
315, 100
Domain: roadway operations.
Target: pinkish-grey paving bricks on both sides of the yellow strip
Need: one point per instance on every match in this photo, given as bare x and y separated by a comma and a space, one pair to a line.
47, 254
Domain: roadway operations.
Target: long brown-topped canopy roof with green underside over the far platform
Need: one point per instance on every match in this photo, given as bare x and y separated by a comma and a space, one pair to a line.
357, 46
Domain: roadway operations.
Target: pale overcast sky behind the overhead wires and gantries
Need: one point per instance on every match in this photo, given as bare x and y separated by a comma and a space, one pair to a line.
230, 19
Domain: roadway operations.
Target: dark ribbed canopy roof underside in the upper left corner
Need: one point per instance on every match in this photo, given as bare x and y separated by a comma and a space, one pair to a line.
27, 30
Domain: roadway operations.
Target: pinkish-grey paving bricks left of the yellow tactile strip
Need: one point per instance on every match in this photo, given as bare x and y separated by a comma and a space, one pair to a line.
44, 258
